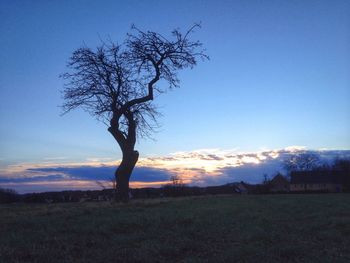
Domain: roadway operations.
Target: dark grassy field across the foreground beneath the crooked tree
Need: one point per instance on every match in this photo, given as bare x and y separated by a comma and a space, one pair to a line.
274, 228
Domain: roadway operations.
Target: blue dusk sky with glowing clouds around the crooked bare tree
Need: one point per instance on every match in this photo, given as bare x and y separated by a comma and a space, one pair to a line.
278, 76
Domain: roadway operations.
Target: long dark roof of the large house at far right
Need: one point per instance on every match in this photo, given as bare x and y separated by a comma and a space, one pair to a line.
316, 177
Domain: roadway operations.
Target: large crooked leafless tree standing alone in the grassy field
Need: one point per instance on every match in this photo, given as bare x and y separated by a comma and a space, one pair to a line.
117, 84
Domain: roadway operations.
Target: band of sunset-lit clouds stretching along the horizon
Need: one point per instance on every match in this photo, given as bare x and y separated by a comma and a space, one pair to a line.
200, 167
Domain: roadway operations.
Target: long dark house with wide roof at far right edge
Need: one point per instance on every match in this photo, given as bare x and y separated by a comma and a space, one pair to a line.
316, 181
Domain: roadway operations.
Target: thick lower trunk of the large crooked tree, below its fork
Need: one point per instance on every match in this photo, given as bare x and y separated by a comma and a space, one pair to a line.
123, 173
